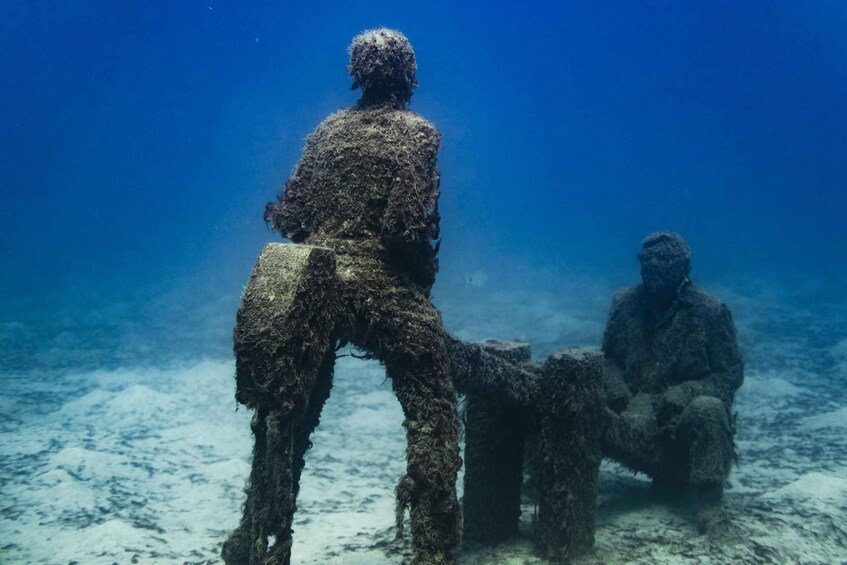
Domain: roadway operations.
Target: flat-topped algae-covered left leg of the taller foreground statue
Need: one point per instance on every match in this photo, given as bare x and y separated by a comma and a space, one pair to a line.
283, 348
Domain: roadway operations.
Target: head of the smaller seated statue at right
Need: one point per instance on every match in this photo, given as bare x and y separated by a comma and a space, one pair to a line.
665, 263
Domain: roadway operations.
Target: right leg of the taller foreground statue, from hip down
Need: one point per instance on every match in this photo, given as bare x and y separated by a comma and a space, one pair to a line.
398, 325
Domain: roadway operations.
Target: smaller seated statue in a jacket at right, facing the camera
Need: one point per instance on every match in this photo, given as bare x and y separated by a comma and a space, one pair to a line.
672, 368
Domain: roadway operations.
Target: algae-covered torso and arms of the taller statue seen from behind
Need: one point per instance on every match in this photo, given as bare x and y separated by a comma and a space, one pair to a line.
368, 175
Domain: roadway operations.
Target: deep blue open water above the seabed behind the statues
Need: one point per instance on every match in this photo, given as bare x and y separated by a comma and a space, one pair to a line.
139, 141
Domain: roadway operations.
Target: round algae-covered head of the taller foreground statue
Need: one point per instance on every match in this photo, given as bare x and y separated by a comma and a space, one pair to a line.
382, 64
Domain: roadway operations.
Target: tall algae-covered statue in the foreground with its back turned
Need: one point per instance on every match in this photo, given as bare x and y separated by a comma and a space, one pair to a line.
363, 198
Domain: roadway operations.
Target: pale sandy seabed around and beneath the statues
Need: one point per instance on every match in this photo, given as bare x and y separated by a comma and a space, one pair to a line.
148, 465
